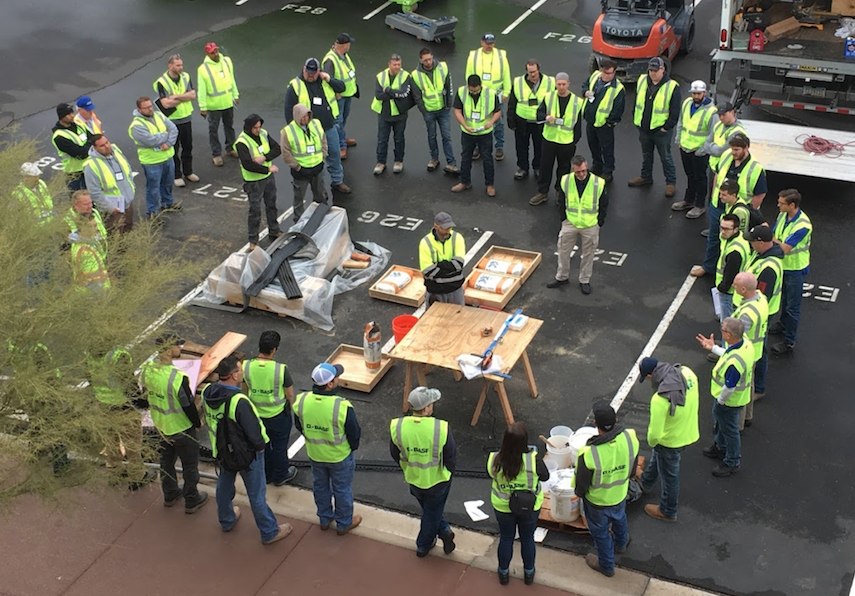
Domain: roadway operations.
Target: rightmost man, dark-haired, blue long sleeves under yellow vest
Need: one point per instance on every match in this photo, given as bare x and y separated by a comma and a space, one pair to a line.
793, 232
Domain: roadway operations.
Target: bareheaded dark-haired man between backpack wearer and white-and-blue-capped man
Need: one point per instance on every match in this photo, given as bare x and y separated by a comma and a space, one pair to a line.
271, 391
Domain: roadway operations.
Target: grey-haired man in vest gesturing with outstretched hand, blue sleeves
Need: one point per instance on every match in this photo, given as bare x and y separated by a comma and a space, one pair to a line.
731, 390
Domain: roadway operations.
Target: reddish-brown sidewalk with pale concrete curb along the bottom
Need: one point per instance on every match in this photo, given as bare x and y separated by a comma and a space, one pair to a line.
101, 545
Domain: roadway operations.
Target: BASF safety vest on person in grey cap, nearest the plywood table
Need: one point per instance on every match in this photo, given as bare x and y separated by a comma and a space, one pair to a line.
420, 440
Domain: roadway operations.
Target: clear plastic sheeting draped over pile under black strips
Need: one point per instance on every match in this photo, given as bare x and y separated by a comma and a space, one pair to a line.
320, 277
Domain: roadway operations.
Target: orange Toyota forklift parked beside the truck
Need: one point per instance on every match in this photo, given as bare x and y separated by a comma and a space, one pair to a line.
631, 32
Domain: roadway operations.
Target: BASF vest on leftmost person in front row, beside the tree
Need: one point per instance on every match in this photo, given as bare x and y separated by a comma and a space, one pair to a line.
163, 384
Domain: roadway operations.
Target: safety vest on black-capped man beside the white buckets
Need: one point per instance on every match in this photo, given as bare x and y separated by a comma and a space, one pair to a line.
612, 466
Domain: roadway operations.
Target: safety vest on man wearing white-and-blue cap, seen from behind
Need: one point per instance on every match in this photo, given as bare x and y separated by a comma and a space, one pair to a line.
323, 418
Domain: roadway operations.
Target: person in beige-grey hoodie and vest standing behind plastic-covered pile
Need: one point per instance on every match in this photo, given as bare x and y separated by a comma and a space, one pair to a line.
304, 147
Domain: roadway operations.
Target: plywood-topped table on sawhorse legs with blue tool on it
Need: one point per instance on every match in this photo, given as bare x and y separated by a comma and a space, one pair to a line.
446, 331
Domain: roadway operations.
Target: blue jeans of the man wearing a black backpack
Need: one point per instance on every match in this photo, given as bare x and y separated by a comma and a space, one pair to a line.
256, 490
